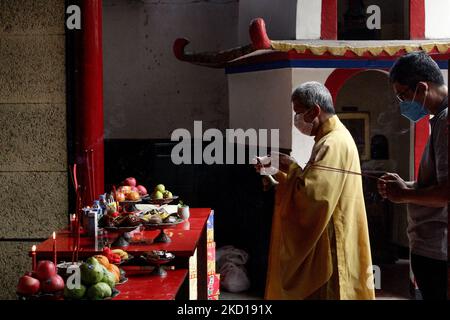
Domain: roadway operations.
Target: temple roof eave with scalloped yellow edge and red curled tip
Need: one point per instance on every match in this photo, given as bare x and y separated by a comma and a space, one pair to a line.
262, 46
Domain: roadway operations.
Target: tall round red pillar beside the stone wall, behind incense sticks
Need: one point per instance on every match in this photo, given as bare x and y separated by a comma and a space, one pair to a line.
89, 107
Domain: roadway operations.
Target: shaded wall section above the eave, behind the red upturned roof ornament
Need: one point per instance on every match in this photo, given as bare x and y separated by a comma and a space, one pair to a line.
279, 15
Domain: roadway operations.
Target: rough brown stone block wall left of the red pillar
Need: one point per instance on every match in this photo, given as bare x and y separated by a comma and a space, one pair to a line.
33, 150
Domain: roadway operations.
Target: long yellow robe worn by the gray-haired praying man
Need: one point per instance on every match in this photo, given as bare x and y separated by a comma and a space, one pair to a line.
320, 243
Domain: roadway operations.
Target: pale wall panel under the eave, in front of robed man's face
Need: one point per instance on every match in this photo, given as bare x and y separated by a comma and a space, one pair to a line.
261, 100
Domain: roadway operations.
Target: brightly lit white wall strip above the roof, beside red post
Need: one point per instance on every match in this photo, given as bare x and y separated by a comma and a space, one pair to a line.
309, 19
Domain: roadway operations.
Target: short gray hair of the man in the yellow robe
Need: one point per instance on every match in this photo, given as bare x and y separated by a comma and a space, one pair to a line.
311, 93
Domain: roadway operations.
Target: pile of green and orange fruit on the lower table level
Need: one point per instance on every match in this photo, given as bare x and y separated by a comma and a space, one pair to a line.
98, 279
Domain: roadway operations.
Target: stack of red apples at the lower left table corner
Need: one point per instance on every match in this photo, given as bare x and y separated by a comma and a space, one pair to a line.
44, 280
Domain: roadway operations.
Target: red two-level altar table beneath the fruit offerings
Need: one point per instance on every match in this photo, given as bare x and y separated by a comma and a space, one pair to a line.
186, 238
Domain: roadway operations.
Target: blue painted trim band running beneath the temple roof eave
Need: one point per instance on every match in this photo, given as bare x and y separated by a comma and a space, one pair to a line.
345, 64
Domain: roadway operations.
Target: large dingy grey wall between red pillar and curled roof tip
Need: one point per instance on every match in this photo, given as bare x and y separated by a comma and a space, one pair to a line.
147, 92
